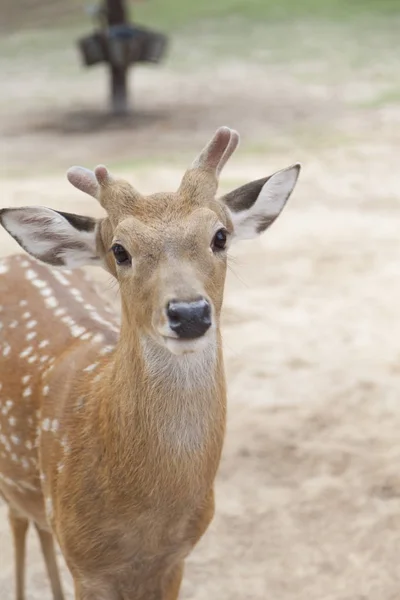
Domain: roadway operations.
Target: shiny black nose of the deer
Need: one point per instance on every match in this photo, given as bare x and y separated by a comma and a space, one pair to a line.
189, 320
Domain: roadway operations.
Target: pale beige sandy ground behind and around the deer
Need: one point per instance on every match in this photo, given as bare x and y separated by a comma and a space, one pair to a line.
308, 493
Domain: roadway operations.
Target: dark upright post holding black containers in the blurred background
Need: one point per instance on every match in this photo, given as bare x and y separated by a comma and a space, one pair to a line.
117, 15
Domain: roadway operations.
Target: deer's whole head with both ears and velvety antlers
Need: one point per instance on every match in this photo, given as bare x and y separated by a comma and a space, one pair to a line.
167, 251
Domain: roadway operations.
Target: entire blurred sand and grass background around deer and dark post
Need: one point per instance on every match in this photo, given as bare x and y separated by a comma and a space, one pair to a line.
308, 494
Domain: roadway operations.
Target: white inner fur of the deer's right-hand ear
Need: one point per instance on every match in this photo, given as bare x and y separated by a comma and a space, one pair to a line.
268, 205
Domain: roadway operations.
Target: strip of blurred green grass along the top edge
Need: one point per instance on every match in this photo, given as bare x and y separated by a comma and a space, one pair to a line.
172, 15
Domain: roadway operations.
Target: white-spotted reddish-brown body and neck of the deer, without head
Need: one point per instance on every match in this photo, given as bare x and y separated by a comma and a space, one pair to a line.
64, 455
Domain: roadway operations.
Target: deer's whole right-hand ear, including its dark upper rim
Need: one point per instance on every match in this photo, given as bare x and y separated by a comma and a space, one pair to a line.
256, 205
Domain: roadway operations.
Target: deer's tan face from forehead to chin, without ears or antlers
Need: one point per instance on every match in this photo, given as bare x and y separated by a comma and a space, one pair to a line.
169, 256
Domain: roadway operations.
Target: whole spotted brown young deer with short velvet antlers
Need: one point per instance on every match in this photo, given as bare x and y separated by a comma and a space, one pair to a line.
111, 438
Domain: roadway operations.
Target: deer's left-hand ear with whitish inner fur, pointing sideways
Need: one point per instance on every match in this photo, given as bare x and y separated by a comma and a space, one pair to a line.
57, 238
